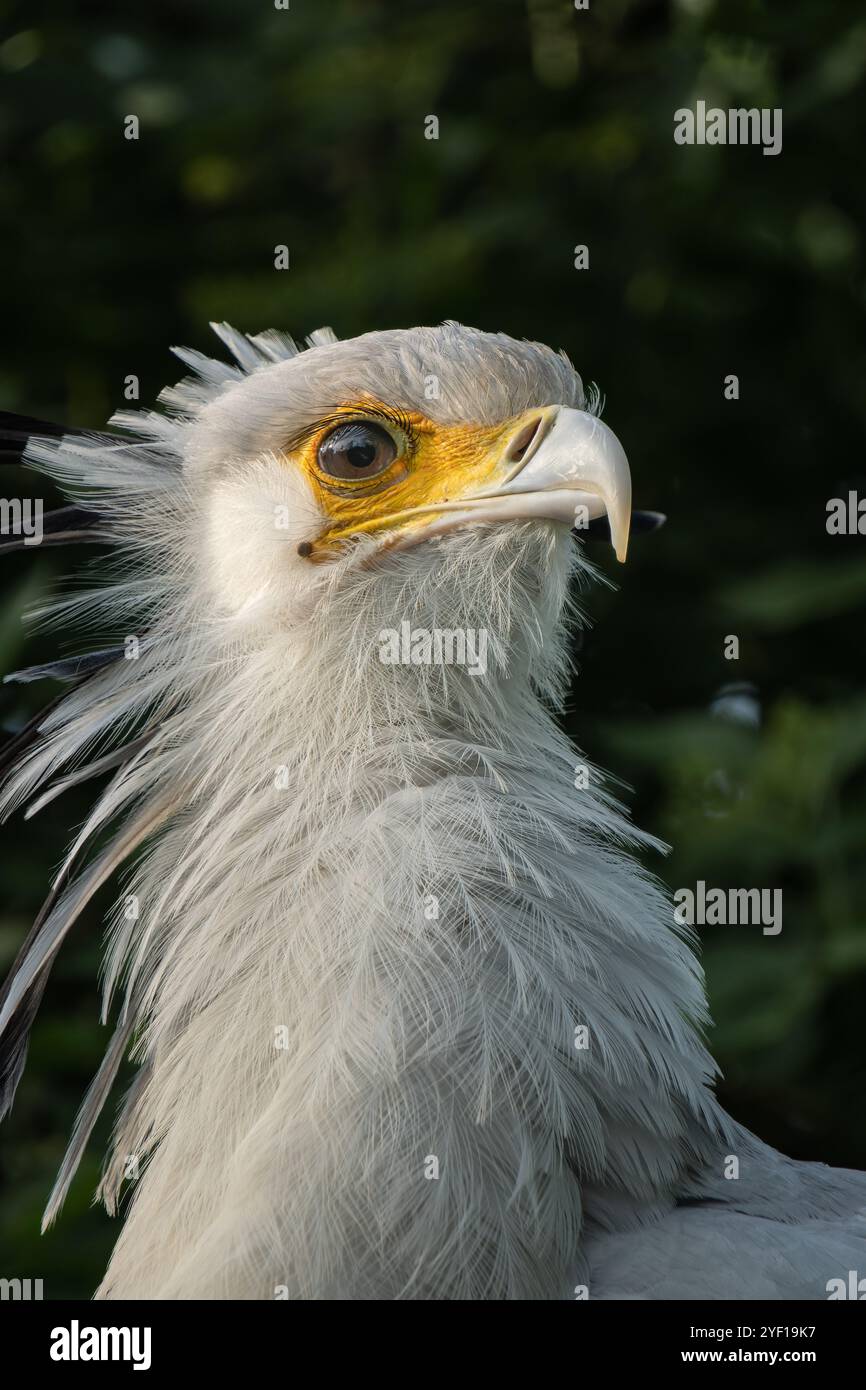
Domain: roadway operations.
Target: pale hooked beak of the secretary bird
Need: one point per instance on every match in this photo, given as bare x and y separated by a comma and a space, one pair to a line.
573, 469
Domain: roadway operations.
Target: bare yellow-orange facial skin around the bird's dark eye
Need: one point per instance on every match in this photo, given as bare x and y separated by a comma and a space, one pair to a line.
434, 464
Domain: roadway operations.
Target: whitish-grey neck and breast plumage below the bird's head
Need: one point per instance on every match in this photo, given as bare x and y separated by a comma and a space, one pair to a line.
363, 951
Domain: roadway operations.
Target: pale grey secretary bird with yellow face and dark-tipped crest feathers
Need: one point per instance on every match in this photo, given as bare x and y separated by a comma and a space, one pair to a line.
411, 1020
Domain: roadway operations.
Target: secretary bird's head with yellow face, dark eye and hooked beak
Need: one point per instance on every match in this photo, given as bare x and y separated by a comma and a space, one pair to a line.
354, 452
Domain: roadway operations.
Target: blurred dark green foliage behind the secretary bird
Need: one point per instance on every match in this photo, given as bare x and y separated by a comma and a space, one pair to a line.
307, 127
